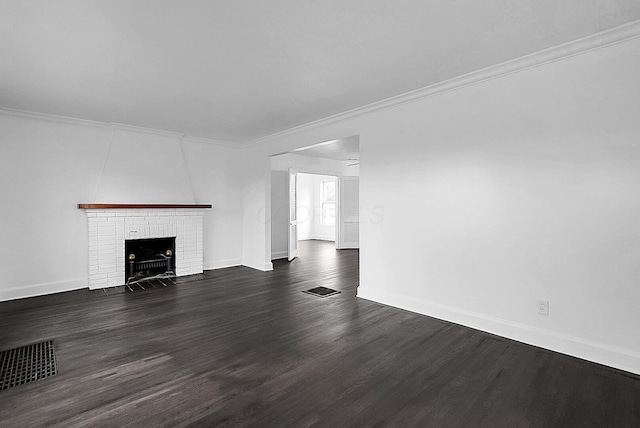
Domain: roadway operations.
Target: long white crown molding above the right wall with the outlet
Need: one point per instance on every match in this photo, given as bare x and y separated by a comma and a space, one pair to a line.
580, 46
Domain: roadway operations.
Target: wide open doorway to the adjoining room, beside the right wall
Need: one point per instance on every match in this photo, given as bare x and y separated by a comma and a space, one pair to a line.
326, 180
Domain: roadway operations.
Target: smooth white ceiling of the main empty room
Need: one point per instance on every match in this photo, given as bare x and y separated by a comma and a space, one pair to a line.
235, 71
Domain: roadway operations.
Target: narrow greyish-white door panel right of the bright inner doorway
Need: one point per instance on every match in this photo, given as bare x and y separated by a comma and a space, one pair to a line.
348, 228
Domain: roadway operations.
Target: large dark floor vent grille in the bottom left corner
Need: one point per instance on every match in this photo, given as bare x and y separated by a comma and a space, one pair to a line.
27, 364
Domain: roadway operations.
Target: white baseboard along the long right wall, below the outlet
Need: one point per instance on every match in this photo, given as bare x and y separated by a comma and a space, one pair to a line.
613, 356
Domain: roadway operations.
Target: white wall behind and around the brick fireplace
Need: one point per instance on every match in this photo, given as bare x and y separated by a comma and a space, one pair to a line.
48, 166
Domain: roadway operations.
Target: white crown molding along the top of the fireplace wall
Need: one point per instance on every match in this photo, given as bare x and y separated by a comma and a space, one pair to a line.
111, 125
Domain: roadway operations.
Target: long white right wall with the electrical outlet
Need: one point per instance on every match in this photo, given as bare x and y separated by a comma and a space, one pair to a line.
479, 201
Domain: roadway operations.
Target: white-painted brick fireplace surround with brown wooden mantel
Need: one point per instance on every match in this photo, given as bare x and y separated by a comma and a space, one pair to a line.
111, 225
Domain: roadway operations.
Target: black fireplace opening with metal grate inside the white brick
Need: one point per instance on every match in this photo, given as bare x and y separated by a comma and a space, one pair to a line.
147, 259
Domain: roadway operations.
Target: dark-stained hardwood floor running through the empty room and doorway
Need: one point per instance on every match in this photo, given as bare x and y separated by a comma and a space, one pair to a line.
239, 347
